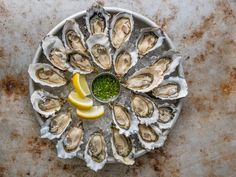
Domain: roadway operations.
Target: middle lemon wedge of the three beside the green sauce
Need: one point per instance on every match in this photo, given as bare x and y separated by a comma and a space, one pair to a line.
81, 103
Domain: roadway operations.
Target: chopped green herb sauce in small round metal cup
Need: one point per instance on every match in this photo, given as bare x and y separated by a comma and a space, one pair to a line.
105, 87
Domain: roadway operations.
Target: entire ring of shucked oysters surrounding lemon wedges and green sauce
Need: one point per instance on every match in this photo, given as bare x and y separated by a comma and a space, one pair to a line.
145, 67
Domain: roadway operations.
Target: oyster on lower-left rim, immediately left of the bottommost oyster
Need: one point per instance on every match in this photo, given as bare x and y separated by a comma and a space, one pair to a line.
70, 142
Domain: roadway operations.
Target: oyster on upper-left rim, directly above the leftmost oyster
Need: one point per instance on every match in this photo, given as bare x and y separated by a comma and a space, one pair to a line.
55, 52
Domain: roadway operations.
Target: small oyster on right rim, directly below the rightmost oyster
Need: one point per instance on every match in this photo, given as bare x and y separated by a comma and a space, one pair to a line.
167, 115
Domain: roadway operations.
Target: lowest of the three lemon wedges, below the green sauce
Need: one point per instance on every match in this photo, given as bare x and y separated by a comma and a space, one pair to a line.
93, 113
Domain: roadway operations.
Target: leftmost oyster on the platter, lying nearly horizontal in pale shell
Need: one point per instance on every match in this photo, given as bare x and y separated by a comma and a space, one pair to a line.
46, 75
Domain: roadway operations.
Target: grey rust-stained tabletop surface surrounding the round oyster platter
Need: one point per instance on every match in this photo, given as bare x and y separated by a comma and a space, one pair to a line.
203, 142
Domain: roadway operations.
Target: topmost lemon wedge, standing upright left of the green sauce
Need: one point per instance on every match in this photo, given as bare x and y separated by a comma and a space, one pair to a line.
80, 84
